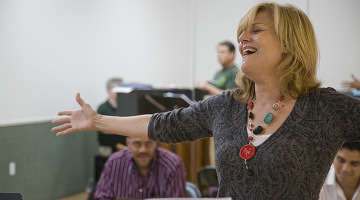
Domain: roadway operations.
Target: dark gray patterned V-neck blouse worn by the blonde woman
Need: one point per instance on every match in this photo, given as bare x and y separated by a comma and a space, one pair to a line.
291, 164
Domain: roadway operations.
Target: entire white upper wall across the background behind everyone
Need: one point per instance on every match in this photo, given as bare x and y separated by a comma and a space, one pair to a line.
51, 49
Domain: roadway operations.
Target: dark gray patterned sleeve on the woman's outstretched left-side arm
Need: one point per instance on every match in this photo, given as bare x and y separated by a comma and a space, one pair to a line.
194, 122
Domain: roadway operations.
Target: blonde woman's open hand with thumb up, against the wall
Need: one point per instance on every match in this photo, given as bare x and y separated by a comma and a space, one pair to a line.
78, 120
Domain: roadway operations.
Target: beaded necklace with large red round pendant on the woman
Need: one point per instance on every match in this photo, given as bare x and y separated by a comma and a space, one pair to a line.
248, 151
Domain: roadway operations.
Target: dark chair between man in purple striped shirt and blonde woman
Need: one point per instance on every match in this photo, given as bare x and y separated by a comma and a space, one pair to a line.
208, 181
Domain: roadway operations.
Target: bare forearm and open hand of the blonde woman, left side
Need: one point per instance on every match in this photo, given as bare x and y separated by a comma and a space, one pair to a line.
87, 119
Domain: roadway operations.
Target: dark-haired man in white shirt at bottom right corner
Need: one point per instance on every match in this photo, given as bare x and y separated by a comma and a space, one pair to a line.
343, 179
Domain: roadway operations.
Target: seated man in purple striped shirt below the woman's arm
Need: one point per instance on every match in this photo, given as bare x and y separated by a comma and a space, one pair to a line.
141, 171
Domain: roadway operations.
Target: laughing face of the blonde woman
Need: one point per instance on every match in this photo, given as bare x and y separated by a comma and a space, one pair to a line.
260, 48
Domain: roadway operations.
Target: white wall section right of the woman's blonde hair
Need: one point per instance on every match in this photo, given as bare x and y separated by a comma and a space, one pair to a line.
337, 26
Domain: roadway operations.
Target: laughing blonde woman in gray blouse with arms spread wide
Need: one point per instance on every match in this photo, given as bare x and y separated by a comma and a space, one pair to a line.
276, 136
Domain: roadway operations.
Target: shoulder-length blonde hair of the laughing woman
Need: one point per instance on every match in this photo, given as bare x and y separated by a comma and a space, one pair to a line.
298, 68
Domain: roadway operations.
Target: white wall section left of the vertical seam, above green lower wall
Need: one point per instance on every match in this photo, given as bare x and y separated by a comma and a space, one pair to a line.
49, 50
